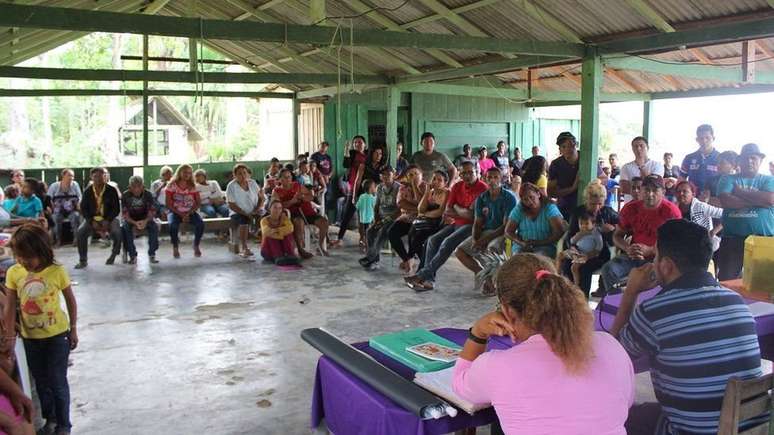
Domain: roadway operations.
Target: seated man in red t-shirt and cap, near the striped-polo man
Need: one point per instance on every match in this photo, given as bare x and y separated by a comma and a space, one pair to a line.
639, 219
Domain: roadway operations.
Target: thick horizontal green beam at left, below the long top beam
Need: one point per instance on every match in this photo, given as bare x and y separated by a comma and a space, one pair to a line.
181, 76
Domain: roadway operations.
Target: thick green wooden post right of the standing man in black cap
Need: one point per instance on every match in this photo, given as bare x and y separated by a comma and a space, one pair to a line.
590, 97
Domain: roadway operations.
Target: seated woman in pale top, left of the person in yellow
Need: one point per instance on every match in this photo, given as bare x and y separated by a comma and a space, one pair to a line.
245, 199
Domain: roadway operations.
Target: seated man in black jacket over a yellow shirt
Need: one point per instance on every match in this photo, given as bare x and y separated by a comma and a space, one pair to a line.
100, 207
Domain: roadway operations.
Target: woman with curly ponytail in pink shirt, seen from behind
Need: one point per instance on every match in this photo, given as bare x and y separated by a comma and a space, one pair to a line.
562, 377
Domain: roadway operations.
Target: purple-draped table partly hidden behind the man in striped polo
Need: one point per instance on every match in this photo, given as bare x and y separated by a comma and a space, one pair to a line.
764, 322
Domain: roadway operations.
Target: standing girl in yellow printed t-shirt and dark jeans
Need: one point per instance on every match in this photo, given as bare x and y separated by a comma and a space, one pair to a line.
35, 285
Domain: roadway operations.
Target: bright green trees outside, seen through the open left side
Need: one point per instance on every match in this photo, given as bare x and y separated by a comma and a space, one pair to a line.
75, 123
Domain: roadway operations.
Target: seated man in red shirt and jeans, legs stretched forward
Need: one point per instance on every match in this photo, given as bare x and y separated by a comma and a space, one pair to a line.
441, 245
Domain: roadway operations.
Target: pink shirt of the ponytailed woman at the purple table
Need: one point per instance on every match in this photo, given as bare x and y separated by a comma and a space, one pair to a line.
533, 394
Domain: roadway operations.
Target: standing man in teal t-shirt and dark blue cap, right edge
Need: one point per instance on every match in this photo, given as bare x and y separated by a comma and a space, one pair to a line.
748, 210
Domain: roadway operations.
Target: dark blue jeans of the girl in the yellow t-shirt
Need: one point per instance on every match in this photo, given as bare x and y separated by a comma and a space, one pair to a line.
47, 359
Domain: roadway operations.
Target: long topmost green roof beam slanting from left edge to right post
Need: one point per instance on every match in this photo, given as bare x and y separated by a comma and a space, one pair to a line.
92, 21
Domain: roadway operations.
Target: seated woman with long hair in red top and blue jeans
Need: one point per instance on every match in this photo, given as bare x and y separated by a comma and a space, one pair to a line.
183, 202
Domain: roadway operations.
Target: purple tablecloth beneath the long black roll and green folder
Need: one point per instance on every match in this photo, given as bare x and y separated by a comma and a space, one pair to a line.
350, 406
